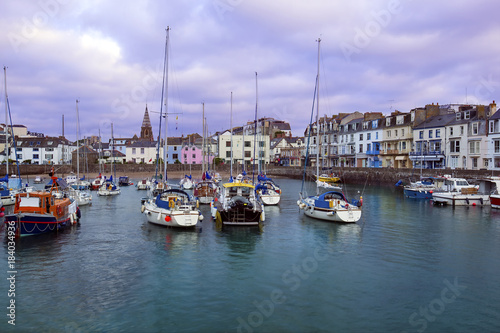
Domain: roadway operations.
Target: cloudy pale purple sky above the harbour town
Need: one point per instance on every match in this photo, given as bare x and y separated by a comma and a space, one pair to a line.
374, 56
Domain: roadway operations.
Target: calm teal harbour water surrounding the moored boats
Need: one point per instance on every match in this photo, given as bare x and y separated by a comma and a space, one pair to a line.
407, 266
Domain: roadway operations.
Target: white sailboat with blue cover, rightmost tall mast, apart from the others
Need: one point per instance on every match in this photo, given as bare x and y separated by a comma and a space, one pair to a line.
332, 205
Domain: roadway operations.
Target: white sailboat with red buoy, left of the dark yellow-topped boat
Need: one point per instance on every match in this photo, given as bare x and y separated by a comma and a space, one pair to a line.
170, 207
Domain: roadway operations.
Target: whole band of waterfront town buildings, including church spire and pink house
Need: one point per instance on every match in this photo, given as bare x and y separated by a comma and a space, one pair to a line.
456, 136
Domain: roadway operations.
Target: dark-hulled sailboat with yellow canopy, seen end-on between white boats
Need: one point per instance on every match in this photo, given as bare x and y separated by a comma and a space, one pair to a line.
237, 203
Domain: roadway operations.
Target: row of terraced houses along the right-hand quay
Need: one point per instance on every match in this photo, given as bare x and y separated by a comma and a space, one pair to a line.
432, 137
